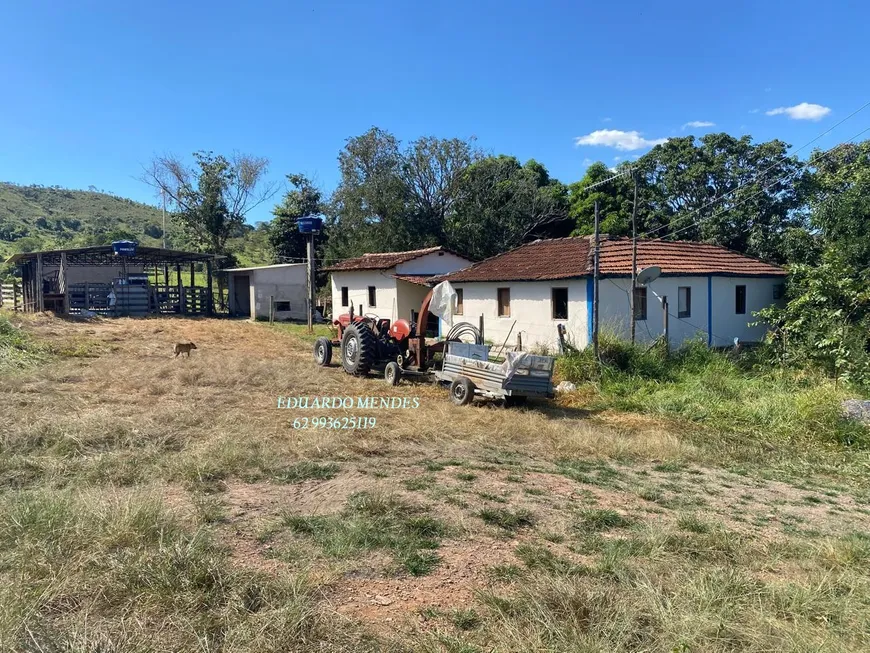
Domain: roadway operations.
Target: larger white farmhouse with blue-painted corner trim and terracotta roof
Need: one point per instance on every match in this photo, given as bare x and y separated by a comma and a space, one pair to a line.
712, 292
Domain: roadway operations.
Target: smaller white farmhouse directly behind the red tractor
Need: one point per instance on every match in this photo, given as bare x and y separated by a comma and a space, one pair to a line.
392, 284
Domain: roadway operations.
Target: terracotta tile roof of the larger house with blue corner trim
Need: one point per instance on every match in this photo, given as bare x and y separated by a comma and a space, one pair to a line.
565, 258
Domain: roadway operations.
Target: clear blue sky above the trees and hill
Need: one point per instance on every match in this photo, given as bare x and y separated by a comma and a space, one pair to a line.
92, 90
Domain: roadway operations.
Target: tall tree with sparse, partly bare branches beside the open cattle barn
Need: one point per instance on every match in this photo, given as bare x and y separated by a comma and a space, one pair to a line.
211, 198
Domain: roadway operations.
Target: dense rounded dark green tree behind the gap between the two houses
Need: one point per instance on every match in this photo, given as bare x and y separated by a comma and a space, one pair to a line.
503, 204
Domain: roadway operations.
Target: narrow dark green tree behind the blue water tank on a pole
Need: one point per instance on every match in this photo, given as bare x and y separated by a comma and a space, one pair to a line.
285, 241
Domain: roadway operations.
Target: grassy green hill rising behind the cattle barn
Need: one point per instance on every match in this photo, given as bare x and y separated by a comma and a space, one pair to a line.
39, 217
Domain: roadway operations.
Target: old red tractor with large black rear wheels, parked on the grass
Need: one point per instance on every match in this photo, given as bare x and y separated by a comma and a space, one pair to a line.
369, 343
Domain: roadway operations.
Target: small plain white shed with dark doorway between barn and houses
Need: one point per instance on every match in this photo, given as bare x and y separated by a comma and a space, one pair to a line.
252, 289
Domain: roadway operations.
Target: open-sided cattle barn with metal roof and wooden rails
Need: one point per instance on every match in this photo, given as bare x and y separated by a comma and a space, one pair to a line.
114, 280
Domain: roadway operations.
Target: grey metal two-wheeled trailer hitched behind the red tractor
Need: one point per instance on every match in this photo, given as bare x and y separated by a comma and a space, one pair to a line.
469, 373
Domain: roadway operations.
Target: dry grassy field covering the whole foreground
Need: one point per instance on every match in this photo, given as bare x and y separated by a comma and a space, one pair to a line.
159, 504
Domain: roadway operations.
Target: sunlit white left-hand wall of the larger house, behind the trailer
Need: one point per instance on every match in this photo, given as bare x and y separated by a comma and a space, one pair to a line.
531, 310
